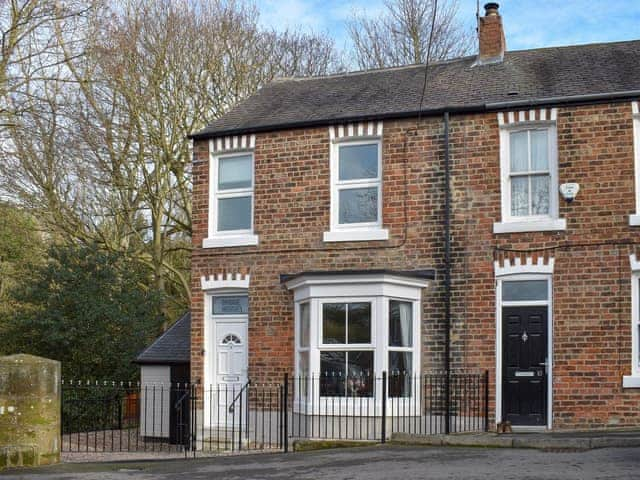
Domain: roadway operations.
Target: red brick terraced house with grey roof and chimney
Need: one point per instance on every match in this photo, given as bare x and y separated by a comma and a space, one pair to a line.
353, 222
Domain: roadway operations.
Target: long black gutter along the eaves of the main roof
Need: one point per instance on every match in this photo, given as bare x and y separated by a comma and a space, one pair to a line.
452, 109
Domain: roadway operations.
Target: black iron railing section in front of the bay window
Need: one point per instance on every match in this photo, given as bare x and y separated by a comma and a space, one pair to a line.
362, 407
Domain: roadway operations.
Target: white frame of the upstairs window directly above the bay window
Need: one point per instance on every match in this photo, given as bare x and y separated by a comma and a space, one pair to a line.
353, 231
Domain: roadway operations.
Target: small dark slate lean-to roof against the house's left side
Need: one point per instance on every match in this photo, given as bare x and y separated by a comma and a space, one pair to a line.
172, 347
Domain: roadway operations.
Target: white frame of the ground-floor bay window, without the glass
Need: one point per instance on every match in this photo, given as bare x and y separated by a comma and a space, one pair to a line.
379, 290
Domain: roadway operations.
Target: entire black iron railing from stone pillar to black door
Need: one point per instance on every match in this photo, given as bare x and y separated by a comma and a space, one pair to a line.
189, 418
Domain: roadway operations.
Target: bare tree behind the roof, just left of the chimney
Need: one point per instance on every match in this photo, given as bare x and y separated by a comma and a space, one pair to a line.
400, 36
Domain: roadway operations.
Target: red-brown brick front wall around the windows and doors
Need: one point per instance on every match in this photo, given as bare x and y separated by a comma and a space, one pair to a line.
592, 302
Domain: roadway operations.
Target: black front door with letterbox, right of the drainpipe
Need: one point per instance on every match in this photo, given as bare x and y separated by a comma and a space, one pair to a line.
524, 359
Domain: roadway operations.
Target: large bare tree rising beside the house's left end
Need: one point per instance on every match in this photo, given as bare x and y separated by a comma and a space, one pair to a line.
102, 152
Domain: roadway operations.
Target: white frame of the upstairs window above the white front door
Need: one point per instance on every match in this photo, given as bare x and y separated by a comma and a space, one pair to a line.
228, 238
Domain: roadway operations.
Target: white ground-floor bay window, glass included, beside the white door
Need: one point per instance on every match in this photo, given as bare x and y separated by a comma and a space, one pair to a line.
350, 328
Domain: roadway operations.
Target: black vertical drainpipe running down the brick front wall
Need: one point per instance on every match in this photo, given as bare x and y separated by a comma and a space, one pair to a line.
447, 271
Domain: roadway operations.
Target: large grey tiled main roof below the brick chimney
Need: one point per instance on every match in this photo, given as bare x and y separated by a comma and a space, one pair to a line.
526, 76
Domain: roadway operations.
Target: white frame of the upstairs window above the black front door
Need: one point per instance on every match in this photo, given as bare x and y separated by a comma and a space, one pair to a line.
531, 223
